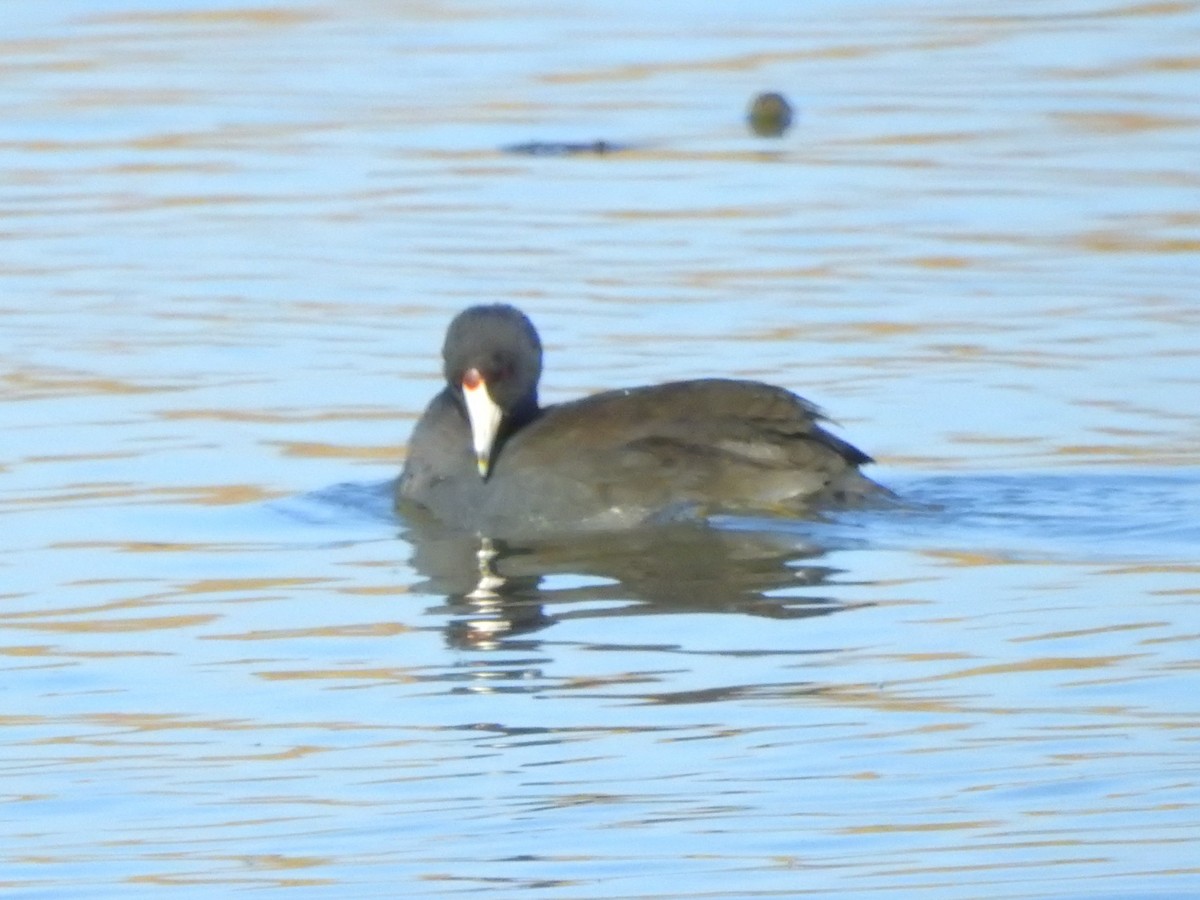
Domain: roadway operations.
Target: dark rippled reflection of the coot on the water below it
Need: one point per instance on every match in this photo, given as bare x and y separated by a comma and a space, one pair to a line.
499, 591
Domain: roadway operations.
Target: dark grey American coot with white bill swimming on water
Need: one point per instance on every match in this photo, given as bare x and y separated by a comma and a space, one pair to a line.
488, 459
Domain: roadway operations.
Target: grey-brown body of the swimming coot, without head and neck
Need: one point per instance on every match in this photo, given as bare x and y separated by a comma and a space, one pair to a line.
617, 459
